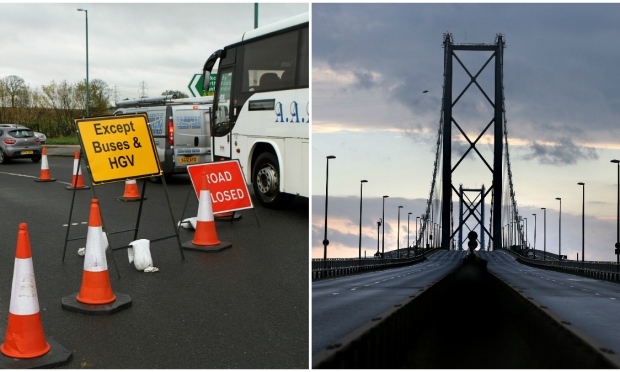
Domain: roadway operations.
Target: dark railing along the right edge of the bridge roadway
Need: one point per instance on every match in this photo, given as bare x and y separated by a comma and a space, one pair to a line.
594, 269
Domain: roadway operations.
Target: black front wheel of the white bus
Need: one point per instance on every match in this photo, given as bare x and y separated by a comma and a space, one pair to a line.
266, 176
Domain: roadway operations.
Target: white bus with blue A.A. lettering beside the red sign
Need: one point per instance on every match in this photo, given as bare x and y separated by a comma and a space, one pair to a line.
261, 110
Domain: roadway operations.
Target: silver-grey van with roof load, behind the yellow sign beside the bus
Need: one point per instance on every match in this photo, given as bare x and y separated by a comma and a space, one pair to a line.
180, 127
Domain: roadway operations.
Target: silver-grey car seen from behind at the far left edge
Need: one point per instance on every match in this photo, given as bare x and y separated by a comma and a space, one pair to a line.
18, 142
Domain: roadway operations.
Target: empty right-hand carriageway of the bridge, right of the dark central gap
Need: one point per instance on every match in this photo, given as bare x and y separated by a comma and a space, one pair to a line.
591, 305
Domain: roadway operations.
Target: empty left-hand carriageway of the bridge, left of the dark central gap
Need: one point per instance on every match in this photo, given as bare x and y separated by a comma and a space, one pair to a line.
341, 305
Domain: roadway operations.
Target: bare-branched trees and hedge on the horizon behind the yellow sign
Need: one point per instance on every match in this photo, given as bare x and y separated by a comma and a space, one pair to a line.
52, 108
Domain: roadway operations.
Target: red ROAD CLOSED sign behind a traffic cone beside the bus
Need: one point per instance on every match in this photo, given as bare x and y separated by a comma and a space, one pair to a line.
229, 192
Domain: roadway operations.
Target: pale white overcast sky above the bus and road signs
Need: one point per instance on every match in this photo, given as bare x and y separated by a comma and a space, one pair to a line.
131, 46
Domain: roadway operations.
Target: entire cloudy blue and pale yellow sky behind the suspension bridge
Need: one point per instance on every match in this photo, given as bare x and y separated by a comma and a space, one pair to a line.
371, 64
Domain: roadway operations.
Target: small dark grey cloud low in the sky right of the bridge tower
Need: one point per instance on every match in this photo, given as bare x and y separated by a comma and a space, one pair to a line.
565, 152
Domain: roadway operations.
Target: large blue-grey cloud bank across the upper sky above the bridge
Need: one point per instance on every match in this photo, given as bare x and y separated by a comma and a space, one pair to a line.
555, 72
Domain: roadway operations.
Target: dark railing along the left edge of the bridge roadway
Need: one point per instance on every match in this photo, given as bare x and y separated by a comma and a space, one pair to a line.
332, 267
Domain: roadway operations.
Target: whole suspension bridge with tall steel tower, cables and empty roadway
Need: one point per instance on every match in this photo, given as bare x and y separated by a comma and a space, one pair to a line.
496, 303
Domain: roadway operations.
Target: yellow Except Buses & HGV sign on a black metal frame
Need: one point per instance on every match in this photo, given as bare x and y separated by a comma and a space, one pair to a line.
118, 147
